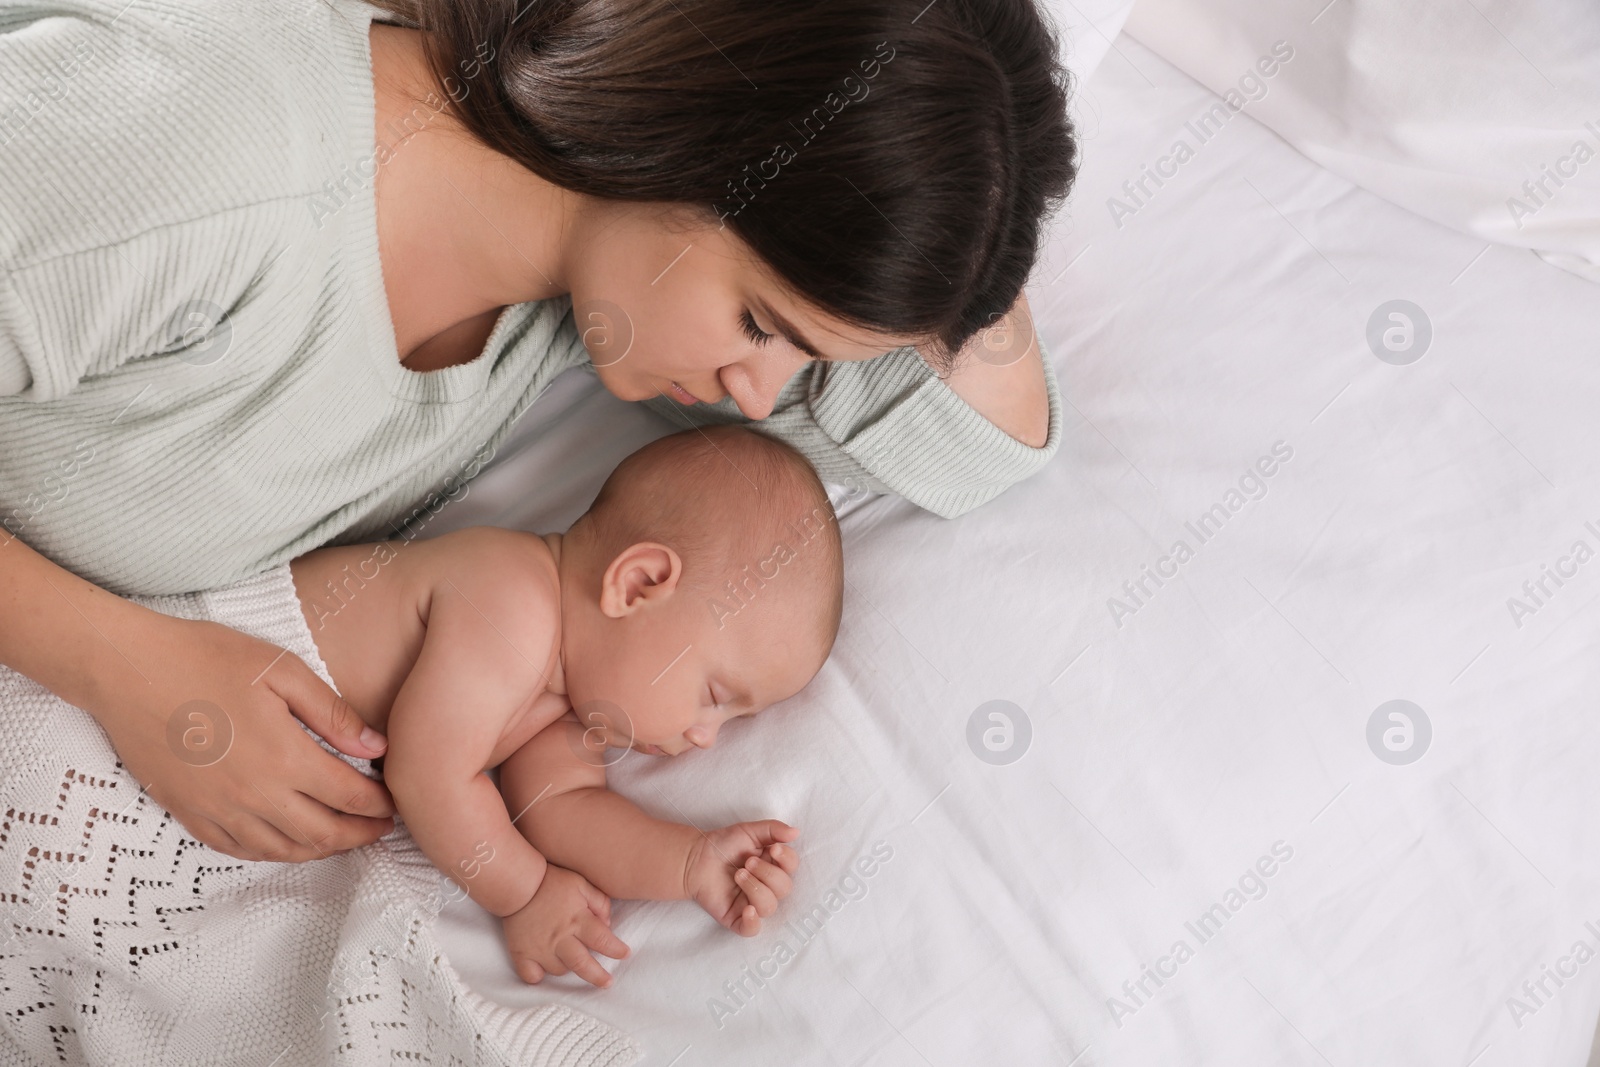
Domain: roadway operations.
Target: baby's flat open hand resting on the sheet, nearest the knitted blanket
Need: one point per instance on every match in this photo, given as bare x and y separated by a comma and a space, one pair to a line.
558, 930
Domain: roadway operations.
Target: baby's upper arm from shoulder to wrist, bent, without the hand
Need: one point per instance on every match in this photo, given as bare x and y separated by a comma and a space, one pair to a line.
481, 666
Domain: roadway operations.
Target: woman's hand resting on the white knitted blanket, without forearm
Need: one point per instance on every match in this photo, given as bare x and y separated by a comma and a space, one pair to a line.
214, 740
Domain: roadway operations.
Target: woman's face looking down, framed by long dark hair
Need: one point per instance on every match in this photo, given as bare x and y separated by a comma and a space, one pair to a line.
668, 305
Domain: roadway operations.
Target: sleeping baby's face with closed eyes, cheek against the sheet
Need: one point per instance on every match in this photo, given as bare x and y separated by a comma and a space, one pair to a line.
658, 669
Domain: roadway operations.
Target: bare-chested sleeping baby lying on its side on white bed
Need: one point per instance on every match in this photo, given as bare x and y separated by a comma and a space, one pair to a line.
705, 583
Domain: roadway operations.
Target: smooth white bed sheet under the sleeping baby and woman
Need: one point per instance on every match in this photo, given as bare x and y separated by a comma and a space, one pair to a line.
1225, 716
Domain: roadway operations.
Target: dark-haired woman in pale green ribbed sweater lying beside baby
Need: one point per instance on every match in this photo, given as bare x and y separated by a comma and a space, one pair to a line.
276, 274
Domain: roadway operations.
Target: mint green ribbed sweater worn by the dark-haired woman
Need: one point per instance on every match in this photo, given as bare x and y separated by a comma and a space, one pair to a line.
199, 375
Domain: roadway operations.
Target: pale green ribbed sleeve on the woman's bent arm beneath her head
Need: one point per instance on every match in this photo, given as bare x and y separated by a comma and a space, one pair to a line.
890, 426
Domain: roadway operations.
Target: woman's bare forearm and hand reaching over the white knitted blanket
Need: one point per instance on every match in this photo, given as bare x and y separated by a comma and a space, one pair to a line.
276, 794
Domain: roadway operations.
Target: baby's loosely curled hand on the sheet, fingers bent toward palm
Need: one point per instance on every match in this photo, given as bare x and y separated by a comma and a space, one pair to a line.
740, 873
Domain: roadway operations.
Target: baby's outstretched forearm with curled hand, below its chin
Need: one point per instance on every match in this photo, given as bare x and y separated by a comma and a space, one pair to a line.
738, 873
